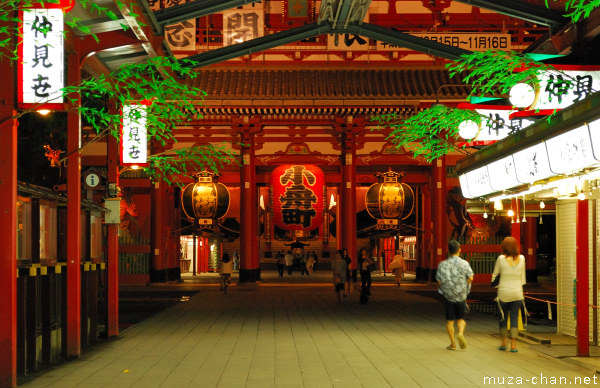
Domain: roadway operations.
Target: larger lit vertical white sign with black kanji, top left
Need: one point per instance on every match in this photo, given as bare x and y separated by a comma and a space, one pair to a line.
41, 58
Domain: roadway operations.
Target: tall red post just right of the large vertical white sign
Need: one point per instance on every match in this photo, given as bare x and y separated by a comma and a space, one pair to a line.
73, 213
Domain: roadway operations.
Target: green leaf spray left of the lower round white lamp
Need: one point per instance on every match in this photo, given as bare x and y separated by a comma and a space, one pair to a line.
431, 133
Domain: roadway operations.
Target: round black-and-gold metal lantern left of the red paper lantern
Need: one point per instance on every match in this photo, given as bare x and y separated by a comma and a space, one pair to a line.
206, 199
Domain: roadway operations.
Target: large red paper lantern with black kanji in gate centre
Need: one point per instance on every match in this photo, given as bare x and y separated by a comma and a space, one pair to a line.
297, 196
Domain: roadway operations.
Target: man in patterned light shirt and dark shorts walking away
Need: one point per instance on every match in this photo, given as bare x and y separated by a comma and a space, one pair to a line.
455, 276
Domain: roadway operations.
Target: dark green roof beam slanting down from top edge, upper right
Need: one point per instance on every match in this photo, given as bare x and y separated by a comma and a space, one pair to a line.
522, 10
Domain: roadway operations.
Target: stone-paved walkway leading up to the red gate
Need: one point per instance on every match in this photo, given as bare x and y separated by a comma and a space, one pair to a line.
295, 334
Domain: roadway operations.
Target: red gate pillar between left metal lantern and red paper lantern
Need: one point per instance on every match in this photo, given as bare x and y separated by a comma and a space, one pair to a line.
249, 260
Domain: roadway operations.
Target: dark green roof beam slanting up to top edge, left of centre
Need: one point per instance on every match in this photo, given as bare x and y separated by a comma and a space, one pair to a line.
195, 9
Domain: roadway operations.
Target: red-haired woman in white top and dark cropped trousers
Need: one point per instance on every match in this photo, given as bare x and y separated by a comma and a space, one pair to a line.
510, 266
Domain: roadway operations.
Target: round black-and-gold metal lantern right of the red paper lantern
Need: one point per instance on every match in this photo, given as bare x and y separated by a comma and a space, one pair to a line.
389, 200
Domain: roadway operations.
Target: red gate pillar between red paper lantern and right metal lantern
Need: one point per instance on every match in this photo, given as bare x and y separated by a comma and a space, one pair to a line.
348, 197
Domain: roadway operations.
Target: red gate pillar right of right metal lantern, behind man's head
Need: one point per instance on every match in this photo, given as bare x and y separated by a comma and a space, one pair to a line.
439, 213
